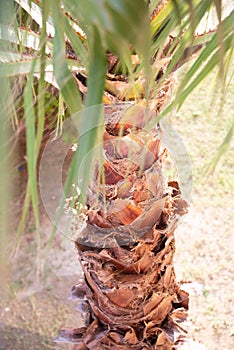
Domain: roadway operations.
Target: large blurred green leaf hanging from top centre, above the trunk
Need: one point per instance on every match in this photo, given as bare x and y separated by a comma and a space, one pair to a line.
120, 24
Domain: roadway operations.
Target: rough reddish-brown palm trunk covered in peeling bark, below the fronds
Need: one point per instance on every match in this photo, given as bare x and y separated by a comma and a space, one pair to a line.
129, 297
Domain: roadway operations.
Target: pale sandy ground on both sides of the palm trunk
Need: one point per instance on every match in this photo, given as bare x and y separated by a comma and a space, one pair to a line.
31, 314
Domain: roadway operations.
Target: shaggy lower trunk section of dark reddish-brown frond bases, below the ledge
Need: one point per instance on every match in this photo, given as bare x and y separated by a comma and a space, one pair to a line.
129, 298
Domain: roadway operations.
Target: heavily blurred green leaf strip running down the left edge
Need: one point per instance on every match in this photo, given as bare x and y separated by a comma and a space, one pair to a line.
6, 113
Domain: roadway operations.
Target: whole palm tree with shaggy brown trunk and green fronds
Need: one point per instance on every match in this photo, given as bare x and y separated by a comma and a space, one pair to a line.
127, 54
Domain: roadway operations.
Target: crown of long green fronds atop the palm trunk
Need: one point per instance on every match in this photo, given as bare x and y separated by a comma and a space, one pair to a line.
149, 42
